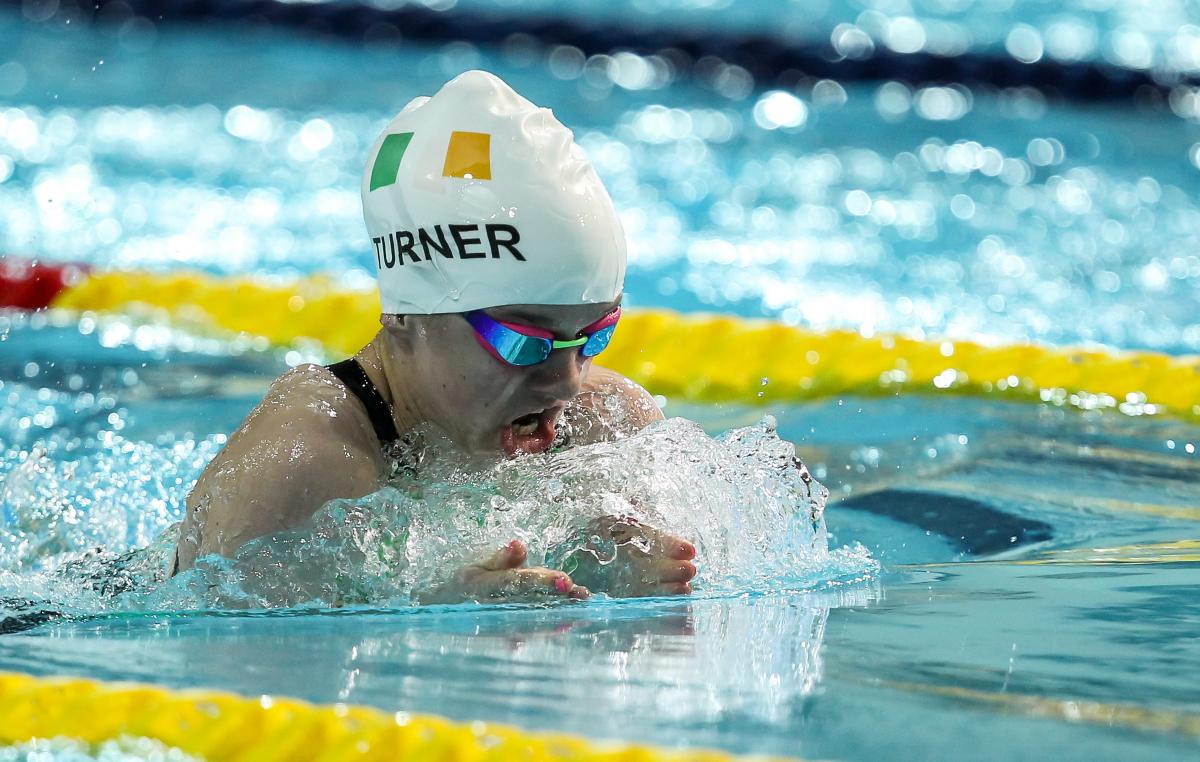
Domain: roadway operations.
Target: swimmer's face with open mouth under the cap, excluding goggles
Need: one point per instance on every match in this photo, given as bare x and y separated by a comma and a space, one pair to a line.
484, 404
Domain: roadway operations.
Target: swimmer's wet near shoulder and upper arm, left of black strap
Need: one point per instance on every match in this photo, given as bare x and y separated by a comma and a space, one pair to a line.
274, 476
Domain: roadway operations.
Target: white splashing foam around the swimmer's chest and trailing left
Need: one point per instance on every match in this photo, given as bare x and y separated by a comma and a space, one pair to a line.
95, 533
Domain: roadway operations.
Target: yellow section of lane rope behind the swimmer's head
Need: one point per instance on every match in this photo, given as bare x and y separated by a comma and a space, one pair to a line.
701, 358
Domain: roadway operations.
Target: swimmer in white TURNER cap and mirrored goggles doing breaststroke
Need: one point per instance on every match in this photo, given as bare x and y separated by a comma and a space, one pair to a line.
501, 263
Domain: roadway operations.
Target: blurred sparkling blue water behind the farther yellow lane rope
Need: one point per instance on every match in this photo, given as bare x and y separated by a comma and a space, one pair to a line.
875, 206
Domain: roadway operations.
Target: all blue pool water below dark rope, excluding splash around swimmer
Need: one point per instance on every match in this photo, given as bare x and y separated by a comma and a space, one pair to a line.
1025, 586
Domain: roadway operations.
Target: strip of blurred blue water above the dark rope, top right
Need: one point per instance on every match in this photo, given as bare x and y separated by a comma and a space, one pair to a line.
1135, 34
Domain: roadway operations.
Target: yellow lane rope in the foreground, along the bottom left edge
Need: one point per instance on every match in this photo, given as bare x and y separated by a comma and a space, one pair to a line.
219, 727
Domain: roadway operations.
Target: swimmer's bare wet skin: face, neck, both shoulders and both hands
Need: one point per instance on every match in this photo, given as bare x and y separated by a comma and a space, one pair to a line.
310, 441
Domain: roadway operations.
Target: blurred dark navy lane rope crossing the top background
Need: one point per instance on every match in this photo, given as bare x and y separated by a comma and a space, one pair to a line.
769, 59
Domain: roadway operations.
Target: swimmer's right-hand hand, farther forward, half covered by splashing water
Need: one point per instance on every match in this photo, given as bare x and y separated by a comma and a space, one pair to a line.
627, 559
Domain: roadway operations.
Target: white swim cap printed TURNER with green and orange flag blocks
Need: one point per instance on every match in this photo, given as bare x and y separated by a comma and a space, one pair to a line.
478, 199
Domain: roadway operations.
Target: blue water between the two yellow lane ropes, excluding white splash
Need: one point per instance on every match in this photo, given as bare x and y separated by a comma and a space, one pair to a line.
1073, 637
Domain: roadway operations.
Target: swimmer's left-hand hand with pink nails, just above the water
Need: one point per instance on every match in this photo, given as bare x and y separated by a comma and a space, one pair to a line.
503, 578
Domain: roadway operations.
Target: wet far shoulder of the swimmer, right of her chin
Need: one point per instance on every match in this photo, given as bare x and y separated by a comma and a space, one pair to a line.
610, 407
